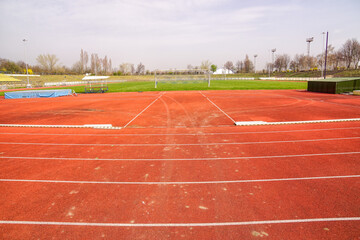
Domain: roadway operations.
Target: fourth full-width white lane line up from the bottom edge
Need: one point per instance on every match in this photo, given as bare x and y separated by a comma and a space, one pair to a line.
174, 144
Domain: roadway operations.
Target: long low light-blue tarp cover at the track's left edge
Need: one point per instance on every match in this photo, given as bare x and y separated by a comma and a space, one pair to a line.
38, 93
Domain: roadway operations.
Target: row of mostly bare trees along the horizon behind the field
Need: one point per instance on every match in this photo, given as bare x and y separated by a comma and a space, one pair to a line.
346, 57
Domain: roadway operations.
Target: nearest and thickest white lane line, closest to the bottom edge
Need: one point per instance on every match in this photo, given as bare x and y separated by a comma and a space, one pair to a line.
211, 224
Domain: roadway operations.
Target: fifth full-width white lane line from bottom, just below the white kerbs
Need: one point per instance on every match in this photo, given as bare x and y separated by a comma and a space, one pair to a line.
178, 134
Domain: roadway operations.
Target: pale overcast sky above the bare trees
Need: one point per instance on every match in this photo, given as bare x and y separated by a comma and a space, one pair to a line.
171, 34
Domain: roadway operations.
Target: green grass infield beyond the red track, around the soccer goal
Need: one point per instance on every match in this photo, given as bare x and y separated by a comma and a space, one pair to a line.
144, 86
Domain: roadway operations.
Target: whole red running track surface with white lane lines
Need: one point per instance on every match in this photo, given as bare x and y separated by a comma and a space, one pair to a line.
179, 168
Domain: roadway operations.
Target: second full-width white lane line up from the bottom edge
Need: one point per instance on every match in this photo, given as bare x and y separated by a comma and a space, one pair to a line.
180, 183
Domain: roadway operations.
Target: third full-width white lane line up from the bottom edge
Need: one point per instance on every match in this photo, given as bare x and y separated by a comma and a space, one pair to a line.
180, 159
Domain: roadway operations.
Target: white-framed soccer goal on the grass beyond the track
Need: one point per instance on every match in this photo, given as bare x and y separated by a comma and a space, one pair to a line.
182, 76
